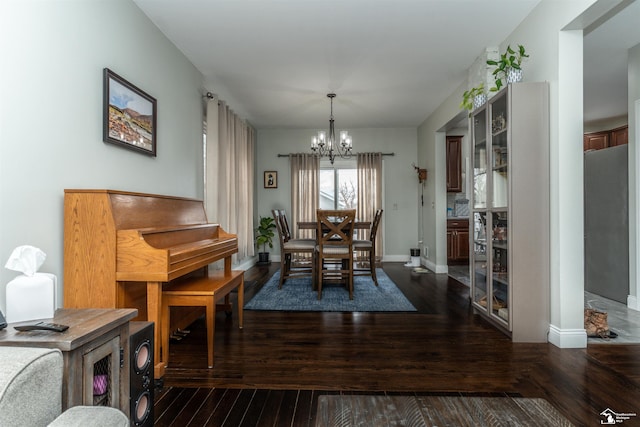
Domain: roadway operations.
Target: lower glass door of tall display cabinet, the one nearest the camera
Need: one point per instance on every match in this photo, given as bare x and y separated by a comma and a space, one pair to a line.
500, 263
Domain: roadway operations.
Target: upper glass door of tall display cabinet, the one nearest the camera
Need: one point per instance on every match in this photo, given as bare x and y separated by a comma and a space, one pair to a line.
499, 152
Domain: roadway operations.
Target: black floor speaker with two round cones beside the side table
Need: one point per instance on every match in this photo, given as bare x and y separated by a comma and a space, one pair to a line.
141, 383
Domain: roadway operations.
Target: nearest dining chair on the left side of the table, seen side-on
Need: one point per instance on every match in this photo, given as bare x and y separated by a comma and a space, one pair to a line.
289, 265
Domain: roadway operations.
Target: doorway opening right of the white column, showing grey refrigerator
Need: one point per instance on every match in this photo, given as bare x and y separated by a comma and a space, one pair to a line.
608, 227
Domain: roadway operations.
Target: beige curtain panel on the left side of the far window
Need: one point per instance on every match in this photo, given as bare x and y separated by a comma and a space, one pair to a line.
305, 183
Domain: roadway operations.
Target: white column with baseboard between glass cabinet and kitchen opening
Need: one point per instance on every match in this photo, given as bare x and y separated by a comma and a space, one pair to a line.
566, 173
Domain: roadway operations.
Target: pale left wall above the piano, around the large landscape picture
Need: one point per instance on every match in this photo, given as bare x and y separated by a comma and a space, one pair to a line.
53, 54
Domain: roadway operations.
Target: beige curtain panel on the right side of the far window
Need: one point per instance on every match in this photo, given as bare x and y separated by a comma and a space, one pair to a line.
369, 192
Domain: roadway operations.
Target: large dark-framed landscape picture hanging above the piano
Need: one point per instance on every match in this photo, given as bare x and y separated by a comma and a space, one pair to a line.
129, 115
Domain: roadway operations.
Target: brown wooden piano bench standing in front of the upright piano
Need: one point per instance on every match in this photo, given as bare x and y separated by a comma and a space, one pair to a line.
201, 292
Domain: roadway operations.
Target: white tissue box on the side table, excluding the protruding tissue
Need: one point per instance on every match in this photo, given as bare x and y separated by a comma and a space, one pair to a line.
31, 297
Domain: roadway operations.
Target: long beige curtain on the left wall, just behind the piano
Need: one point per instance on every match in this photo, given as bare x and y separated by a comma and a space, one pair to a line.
229, 182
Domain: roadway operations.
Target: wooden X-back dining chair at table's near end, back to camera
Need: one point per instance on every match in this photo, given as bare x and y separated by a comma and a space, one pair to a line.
334, 251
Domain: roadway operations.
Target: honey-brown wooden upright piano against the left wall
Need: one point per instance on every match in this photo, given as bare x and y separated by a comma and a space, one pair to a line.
121, 247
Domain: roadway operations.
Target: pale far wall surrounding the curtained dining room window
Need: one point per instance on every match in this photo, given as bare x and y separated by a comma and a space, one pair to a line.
400, 187
